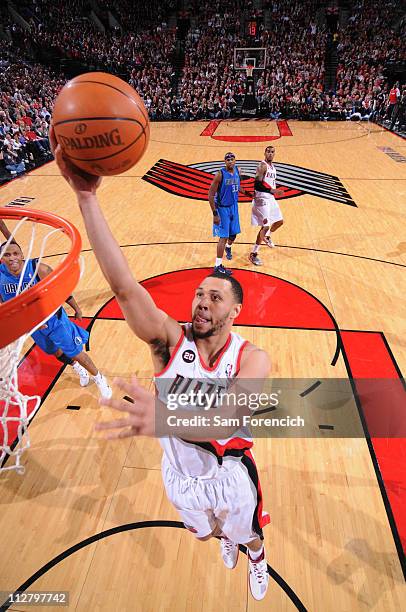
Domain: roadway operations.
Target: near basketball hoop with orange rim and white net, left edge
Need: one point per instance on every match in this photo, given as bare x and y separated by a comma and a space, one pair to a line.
21, 316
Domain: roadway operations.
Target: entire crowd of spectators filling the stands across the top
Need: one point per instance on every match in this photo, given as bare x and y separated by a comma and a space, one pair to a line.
142, 48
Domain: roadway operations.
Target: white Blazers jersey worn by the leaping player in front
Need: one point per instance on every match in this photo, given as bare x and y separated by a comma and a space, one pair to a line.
185, 370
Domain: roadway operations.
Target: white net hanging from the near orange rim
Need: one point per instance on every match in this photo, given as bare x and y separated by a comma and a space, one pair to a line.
15, 407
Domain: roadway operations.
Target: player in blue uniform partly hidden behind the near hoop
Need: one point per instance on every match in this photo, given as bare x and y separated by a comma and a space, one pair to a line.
58, 336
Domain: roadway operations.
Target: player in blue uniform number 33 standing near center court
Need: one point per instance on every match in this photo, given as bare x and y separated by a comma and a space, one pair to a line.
223, 198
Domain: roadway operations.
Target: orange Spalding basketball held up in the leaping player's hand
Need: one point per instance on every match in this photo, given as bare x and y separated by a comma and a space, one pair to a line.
101, 123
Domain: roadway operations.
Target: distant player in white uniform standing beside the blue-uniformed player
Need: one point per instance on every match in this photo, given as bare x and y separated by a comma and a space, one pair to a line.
265, 210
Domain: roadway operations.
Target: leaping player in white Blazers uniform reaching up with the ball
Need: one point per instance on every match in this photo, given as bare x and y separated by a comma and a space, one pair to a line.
213, 484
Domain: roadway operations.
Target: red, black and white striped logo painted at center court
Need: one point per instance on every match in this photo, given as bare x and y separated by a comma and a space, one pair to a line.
194, 181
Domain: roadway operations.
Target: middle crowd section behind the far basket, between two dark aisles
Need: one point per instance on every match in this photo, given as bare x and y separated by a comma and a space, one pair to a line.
212, 88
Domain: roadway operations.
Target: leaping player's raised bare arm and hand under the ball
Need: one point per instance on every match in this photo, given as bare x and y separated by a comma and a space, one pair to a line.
141, 313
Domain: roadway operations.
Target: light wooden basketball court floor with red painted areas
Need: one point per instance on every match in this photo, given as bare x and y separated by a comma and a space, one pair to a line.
91, 517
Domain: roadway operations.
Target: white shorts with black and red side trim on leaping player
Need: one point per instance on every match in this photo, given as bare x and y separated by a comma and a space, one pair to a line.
233, 502
